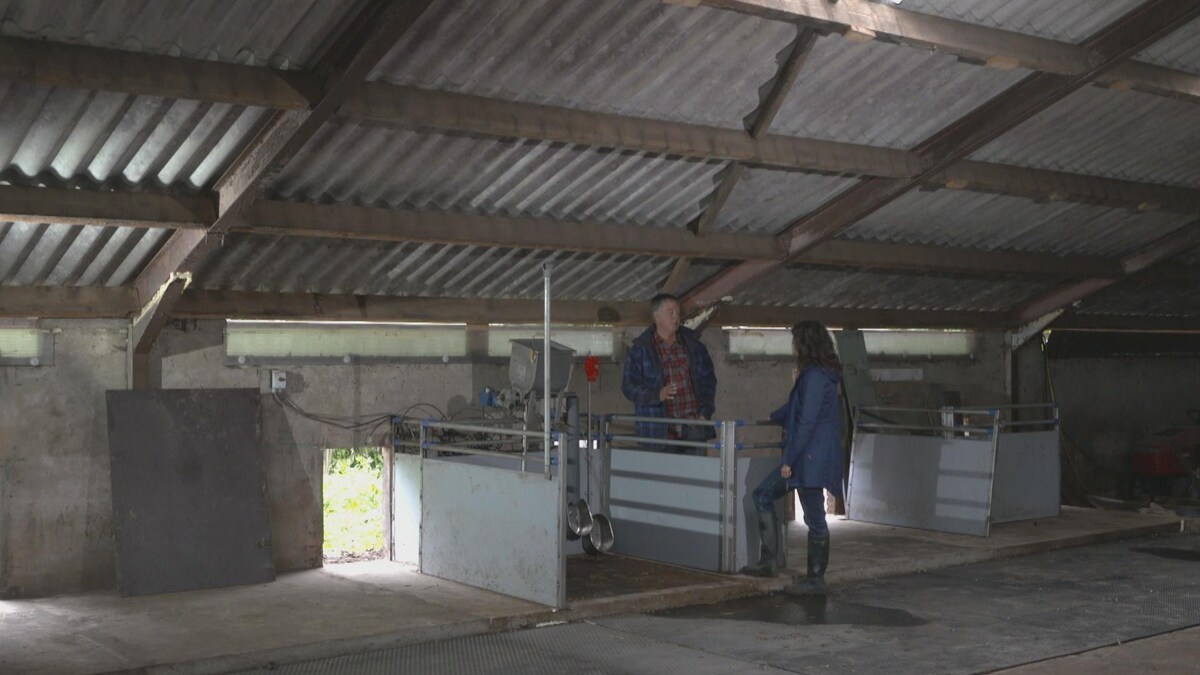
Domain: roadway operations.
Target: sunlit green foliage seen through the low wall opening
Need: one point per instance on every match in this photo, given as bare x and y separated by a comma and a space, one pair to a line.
353, 488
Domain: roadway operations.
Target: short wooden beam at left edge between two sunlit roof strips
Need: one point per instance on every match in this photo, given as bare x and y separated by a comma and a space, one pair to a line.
104, 208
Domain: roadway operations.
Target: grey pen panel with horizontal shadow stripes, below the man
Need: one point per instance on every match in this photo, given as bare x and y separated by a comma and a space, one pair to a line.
667, 507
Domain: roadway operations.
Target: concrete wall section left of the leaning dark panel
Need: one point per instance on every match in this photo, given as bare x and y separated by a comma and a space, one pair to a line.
56, 500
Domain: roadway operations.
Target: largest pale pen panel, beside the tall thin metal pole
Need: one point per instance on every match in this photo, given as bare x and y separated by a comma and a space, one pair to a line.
494, 529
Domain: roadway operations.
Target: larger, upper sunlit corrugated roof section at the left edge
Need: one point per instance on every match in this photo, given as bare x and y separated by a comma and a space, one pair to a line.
57, 136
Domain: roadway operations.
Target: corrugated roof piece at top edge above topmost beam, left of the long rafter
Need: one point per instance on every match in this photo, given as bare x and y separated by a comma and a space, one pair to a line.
1067, 21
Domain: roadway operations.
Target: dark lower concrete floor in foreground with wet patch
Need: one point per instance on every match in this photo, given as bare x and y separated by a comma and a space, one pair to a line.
965, 620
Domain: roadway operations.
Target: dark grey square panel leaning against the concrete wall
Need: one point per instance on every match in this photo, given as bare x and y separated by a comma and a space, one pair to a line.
189, 497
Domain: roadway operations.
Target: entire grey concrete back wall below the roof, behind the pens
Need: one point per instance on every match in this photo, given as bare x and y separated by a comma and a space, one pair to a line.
56, 505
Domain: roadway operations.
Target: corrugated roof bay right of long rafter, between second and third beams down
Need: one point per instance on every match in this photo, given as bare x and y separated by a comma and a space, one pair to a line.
973, 220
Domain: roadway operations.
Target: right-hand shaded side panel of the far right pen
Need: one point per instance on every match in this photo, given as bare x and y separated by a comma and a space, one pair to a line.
1028, 477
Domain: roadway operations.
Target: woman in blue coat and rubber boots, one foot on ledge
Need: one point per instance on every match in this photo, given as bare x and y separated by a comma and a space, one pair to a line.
813, 457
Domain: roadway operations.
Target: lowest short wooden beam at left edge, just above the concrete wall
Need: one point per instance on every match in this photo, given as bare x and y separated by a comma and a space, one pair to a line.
68, 302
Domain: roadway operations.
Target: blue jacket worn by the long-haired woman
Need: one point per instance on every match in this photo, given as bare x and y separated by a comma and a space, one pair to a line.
812, 421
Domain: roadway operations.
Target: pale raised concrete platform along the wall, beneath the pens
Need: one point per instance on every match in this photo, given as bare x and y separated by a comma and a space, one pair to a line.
363, 607
